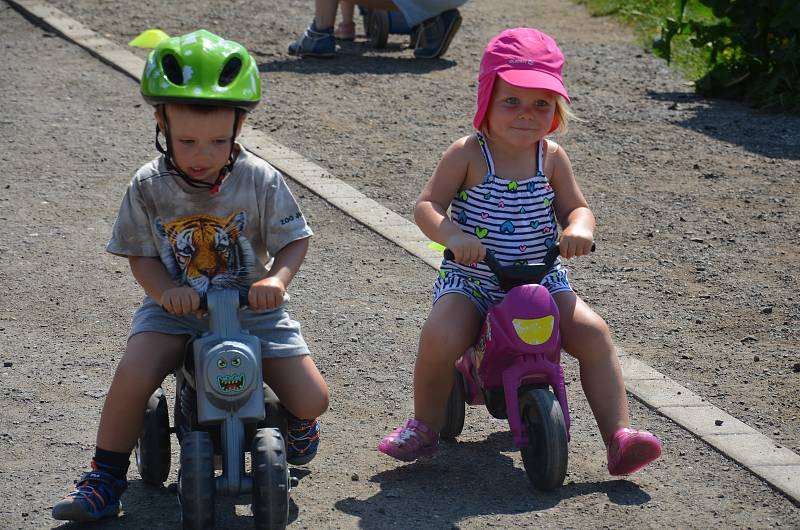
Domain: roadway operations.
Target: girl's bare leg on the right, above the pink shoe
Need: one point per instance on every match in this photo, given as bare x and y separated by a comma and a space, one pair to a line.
585, 336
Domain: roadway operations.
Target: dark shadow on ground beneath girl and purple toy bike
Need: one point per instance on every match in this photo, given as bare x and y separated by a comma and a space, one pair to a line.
467, 480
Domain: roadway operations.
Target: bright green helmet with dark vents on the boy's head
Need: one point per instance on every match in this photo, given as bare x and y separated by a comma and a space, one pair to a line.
201, 68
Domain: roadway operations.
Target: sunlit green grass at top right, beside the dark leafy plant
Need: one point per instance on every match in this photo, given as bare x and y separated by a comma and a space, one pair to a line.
645, 18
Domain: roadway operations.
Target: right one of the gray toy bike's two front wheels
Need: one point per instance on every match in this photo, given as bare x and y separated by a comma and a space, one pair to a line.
270, 480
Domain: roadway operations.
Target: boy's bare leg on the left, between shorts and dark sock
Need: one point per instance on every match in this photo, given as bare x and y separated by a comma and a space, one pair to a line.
149, 358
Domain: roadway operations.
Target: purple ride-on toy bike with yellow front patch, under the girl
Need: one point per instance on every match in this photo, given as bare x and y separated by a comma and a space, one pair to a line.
515, 370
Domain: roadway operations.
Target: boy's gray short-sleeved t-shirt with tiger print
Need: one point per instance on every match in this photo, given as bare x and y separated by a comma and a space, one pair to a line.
224, 239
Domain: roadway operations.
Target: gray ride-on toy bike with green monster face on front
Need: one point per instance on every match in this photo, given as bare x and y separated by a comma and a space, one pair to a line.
222, 409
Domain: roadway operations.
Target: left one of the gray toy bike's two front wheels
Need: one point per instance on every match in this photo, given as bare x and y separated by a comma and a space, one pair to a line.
196, 488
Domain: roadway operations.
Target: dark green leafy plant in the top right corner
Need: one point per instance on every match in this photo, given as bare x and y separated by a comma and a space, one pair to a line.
751, 49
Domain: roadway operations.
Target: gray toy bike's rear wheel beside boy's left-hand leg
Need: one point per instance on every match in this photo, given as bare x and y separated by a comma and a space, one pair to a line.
153, 454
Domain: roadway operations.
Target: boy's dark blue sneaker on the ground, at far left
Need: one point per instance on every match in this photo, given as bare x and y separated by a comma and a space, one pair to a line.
96, 495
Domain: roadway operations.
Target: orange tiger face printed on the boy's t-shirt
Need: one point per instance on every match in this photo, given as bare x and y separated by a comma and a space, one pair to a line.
202, 251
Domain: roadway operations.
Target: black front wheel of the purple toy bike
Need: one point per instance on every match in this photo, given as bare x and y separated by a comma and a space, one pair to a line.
545, 457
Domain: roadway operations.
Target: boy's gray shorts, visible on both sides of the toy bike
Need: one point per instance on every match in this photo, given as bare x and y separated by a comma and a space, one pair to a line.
280, 335
